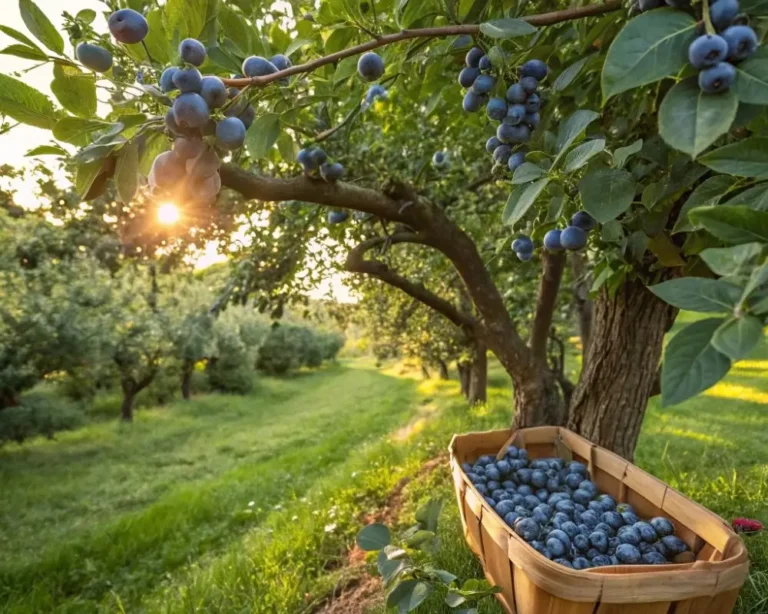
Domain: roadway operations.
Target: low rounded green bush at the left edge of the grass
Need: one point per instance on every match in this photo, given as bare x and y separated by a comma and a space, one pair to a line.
38, 414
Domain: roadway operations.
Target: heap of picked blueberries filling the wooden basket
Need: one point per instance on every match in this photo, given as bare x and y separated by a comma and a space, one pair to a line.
554, 506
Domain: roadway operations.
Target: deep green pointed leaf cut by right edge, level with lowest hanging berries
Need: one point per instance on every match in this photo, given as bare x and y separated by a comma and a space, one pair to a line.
733, 224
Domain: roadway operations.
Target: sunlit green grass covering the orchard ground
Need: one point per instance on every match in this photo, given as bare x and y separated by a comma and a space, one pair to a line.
227, 504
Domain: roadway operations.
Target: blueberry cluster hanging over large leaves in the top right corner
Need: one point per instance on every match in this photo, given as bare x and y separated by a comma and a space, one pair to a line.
715, 54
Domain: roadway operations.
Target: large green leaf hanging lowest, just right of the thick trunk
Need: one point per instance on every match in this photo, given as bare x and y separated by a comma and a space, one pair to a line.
691, 363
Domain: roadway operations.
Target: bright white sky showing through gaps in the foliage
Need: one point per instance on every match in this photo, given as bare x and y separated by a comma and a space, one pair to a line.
21, 139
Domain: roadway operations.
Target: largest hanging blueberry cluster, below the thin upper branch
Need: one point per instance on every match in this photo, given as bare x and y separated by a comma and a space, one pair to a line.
517, 112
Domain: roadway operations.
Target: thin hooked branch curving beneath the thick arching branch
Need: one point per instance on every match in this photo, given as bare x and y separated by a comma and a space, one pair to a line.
357, 263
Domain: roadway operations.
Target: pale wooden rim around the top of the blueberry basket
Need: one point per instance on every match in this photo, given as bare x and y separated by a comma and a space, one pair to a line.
735, 563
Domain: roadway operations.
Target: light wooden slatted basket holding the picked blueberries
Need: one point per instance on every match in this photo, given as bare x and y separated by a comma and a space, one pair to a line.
532, 584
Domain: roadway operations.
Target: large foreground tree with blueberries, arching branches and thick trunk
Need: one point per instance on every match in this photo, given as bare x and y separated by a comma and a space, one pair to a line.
628, 138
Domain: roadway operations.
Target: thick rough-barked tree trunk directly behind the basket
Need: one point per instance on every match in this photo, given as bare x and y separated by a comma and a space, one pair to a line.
624, 352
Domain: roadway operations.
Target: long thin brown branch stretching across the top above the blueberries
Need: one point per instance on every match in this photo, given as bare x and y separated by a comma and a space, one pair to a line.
543, 19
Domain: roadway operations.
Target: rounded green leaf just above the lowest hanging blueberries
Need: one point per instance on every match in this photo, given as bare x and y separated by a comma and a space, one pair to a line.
606, 193
